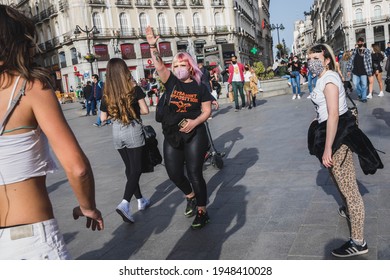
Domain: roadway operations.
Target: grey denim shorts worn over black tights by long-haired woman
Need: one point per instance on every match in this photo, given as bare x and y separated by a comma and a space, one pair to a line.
129, 136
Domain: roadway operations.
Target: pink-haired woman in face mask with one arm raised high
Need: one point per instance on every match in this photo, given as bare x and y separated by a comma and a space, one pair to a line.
187, 108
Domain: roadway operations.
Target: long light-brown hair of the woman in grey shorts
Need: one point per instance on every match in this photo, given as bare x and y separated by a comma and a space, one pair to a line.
119, 91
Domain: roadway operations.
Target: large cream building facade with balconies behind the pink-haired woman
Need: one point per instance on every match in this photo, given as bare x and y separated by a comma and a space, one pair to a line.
78, 37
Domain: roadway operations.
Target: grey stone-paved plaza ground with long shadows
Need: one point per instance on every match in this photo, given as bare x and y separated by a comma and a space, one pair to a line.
271, 201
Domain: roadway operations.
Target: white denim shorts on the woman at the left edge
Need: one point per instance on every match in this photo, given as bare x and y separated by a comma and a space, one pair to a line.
39, 241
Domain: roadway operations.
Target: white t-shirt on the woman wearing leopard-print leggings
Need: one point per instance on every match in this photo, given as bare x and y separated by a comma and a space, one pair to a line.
318, 96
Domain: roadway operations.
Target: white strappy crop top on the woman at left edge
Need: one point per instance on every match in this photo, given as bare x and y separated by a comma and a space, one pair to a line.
24, 155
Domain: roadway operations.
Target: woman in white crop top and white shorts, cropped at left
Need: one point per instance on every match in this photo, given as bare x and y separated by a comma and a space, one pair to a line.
28, 229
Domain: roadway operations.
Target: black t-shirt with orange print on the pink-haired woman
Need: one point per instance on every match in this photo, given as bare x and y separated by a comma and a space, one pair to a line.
186, 98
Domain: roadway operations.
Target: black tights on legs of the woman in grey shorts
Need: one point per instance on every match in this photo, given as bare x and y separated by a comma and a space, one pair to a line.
132, 157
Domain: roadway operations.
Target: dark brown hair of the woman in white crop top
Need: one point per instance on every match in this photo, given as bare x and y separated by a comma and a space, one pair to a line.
17, 42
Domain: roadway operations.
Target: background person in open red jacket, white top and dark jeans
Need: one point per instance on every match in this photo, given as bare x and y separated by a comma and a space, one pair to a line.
236, 79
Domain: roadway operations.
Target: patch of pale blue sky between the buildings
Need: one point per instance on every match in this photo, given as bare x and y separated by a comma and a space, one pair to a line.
286, 12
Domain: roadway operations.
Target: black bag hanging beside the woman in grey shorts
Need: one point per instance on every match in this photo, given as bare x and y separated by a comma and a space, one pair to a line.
151, 155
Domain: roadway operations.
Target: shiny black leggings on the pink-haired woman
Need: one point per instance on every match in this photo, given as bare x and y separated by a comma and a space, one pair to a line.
192, 154
